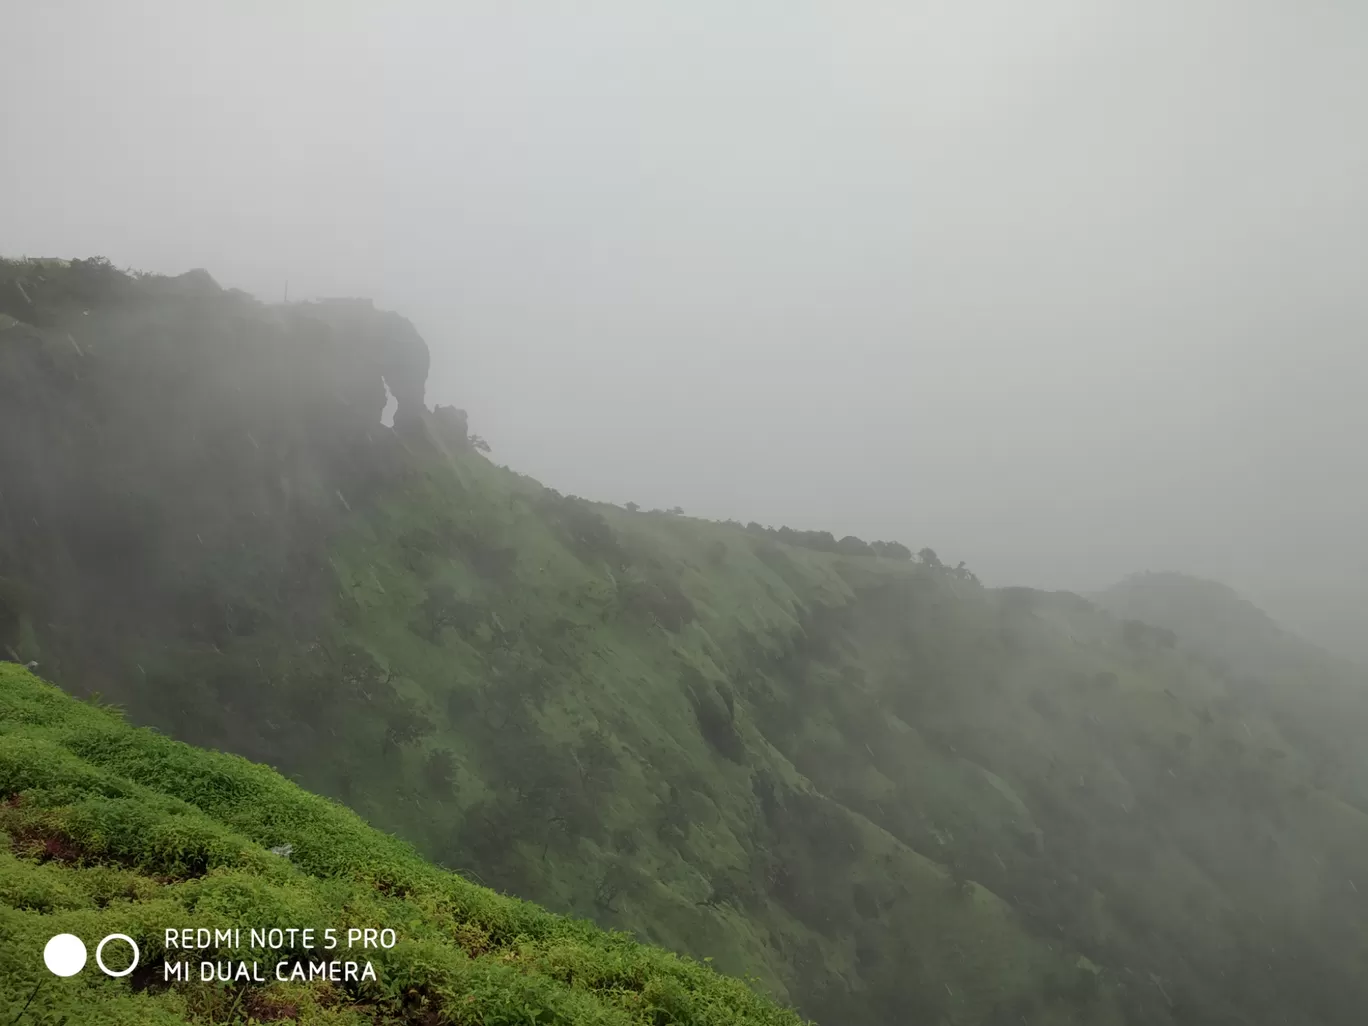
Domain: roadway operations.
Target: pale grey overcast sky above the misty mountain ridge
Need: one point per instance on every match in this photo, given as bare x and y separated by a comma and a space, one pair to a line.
1065, 289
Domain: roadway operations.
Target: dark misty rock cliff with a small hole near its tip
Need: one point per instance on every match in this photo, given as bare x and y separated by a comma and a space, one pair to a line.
170, 449
